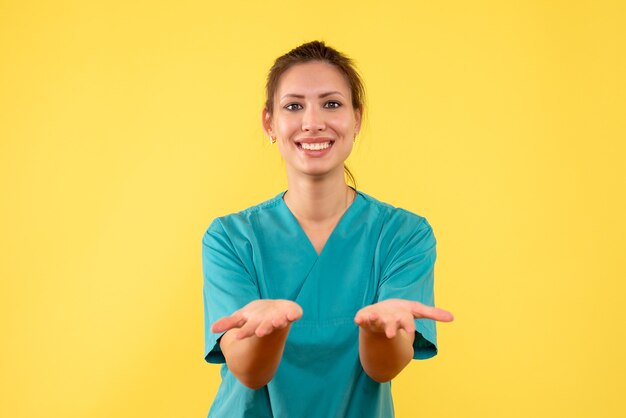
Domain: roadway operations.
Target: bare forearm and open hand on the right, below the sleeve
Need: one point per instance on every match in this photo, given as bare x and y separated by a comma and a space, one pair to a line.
387, 332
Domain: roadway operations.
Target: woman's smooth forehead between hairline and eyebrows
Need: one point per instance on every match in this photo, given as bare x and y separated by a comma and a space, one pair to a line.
312, 78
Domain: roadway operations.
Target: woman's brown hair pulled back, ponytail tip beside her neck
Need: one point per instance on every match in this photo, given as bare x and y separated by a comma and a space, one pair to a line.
317, 51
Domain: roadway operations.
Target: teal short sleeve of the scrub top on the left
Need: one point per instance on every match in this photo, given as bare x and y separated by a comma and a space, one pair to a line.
228, 285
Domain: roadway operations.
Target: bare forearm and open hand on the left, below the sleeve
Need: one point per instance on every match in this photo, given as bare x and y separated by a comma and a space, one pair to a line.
255, 339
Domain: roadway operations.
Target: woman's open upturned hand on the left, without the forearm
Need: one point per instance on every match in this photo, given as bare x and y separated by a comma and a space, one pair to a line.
260, 317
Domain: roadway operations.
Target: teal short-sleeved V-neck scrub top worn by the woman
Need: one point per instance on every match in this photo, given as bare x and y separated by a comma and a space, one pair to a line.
375, 252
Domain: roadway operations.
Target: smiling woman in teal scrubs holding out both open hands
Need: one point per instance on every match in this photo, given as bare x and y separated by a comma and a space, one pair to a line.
317, 298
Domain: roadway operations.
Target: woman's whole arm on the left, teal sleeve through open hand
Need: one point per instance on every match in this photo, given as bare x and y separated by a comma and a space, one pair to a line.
249, 339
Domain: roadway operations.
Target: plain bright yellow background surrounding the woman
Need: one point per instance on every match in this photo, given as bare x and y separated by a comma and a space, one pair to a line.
126, 127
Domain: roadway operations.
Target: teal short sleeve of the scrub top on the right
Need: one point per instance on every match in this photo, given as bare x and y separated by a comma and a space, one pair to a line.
410, 275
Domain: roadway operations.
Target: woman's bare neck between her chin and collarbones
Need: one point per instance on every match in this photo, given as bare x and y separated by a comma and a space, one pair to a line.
318, 200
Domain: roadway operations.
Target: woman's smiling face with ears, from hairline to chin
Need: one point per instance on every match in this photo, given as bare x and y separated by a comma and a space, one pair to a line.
313, 119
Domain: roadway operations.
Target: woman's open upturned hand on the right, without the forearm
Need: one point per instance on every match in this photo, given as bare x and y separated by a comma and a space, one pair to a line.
391, 315
